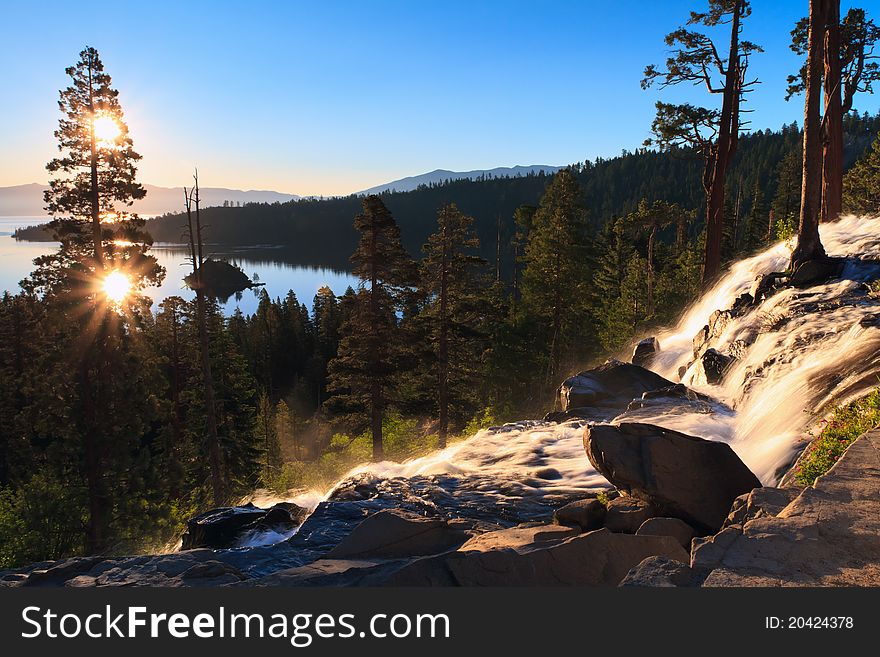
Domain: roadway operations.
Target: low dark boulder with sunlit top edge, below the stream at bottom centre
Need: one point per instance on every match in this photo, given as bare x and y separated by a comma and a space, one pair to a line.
398, 533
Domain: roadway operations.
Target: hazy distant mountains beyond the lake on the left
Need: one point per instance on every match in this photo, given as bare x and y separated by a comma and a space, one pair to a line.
27, 200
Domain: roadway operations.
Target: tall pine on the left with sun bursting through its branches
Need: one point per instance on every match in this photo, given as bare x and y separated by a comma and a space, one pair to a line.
91, 286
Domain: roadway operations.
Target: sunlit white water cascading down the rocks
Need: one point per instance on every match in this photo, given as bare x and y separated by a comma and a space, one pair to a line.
806, 349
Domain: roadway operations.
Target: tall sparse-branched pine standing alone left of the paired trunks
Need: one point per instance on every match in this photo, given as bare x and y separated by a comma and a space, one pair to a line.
696, 59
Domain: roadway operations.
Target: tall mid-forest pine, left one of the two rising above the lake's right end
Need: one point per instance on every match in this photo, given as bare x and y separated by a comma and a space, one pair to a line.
362, 376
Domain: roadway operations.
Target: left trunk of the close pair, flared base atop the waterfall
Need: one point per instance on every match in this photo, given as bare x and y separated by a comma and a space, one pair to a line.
809, 247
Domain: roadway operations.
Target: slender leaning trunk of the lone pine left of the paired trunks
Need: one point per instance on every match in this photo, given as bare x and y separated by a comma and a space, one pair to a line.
725, 147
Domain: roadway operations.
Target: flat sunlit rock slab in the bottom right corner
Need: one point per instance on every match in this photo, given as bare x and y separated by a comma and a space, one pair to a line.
828, 536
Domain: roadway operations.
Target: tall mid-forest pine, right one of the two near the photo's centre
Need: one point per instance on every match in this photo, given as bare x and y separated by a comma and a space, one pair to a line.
453, 310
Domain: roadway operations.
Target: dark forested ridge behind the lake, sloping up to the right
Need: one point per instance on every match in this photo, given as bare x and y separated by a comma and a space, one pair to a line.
319, 232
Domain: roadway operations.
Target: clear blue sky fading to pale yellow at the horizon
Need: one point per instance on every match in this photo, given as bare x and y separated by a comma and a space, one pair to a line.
325, 98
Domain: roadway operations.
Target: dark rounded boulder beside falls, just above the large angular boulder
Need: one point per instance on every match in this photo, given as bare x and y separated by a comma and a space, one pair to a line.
611, 385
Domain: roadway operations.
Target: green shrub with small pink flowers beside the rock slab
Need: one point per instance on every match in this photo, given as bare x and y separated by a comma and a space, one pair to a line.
846, 423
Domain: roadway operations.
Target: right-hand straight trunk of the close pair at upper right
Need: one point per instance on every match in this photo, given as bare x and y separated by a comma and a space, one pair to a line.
832, 156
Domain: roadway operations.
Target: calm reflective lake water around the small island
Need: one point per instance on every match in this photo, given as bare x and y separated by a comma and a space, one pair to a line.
265, 265
